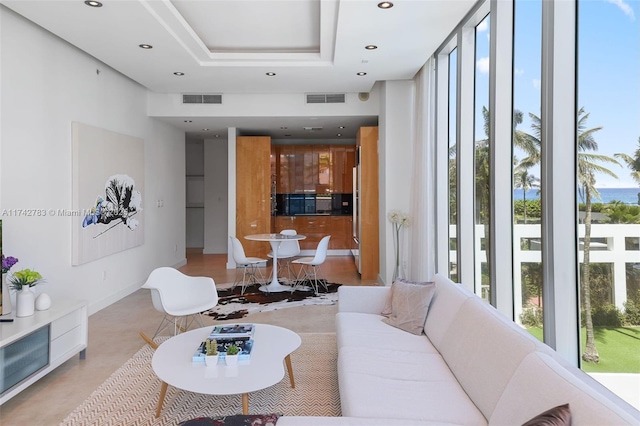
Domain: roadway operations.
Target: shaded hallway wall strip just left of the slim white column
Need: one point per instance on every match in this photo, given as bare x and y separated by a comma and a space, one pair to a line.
216, 197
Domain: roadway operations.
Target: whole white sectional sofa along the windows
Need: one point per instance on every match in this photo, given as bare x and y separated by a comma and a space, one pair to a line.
472, 366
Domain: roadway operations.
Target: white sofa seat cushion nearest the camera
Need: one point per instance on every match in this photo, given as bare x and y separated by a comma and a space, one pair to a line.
416, 386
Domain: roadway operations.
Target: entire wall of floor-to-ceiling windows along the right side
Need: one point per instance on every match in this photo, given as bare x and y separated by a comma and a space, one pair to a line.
576, 228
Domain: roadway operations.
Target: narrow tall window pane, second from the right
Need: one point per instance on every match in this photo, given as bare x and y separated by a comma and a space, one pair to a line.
527, 241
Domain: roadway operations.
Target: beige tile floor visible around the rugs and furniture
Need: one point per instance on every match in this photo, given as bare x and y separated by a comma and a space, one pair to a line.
114, 338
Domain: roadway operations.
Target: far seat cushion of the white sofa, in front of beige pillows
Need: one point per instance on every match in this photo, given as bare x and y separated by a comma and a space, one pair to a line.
368, 332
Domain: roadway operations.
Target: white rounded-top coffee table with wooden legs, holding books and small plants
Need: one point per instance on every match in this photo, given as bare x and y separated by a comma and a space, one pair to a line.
172, 363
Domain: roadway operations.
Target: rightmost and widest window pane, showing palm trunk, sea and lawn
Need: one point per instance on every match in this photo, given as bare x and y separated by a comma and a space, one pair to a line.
608, 158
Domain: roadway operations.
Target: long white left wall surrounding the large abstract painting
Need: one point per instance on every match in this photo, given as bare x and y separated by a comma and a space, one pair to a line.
45, 85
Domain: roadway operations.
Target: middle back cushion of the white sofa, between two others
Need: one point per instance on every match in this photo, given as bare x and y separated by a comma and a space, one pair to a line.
483, 349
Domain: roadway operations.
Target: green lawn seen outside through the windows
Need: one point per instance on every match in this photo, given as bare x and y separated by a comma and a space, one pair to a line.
619, 349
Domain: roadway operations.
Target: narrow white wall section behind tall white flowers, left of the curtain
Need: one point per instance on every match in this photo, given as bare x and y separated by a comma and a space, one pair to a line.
395, 157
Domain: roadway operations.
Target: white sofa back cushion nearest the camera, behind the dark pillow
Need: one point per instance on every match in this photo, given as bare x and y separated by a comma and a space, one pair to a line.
541, 382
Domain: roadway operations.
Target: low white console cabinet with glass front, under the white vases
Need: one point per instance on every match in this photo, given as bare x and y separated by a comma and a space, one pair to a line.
33, 346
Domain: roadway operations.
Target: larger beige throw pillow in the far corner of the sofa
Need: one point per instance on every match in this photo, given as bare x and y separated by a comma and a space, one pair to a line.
409, 305
